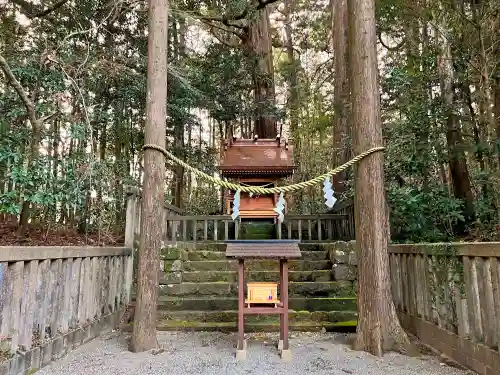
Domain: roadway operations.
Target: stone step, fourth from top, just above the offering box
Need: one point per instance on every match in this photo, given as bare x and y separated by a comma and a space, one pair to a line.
232, 276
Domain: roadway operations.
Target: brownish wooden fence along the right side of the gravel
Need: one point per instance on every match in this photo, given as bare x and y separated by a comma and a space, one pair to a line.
448, 295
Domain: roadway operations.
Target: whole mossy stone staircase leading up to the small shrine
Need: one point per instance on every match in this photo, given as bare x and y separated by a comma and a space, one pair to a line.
198, 289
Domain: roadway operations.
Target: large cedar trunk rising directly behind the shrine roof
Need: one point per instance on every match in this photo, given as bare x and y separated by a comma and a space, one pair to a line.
259, 45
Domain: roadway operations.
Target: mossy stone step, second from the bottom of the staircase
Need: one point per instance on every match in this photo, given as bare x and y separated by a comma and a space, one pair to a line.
232, 315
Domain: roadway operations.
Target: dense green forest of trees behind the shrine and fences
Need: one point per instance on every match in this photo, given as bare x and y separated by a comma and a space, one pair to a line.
73, 91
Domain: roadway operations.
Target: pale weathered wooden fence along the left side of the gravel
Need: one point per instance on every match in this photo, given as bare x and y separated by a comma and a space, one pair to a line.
52, 299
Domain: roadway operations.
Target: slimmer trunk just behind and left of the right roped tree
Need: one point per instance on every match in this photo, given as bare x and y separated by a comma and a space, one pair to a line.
341, 93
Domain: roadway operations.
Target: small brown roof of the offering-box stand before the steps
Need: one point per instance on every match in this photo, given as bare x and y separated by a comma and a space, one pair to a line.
277, 249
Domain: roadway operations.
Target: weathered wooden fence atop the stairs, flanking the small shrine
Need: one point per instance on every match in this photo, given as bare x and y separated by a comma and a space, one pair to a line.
185, 228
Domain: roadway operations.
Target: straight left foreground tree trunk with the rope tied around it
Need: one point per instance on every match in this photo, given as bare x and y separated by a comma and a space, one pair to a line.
144, 333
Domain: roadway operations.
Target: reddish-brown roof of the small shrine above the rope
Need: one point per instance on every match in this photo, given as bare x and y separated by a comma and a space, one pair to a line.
263, 156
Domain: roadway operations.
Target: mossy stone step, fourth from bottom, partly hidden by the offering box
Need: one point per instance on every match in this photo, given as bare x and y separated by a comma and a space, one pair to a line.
312, 289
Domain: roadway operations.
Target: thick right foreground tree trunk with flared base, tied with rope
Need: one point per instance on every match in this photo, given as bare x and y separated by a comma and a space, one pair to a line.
378, 327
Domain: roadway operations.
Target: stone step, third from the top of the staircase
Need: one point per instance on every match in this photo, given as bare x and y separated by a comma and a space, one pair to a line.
251, 265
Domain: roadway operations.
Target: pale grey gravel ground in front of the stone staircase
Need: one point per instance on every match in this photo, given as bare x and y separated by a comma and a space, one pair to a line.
213, 353
